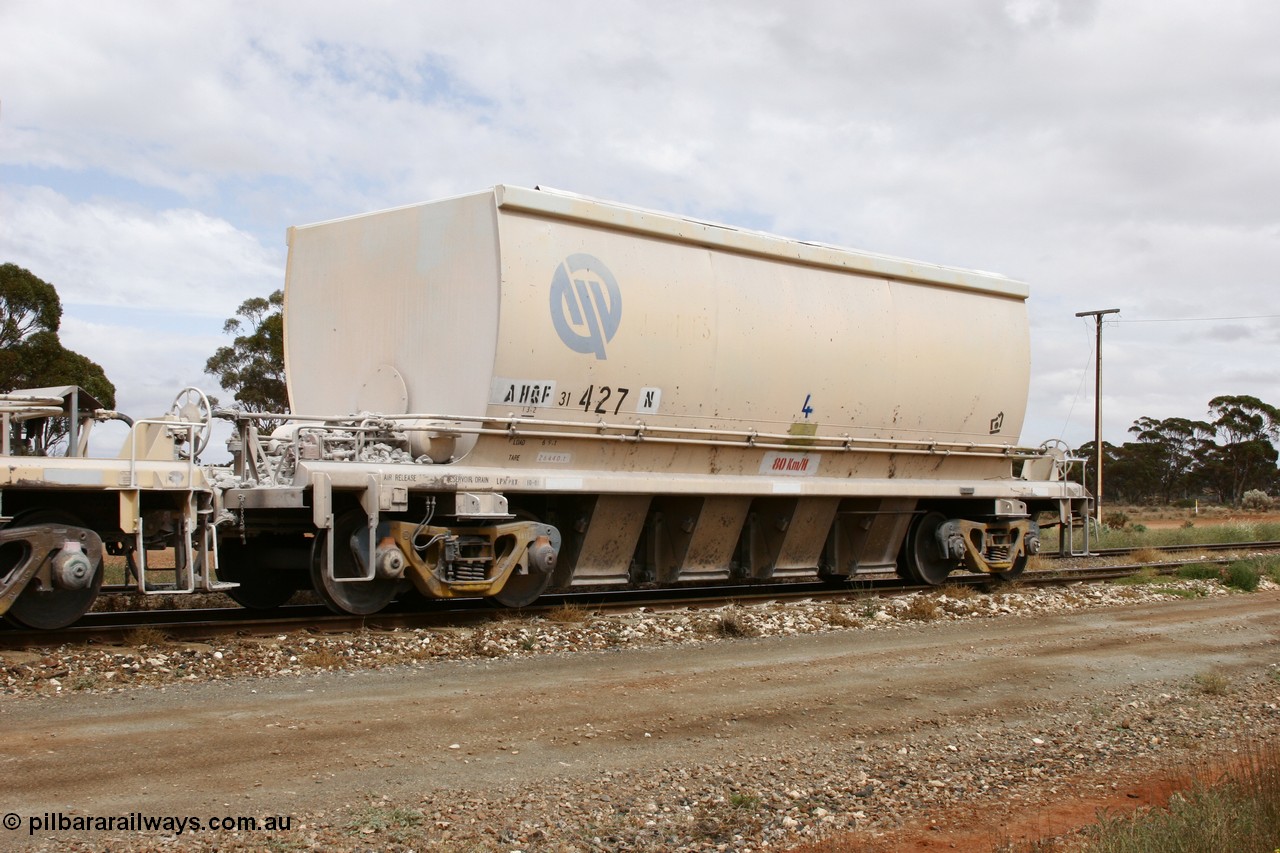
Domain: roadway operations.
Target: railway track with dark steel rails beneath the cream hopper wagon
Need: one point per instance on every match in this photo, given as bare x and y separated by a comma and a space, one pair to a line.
190, 624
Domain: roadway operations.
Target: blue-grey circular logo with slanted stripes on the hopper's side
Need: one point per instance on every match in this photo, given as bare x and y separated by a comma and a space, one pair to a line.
587, 305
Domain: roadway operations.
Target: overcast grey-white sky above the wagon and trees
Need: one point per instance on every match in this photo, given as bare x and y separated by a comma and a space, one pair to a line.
1110, 153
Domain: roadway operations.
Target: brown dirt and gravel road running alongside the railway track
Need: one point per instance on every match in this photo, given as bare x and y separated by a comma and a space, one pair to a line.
648, 732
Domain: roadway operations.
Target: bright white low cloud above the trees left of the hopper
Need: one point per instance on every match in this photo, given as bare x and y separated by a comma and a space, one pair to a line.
145, 293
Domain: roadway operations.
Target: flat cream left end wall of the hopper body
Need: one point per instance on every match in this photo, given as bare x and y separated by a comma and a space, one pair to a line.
395, 313
